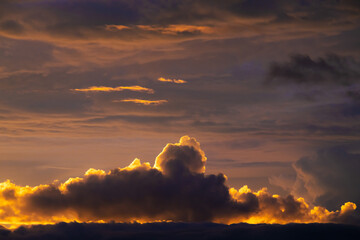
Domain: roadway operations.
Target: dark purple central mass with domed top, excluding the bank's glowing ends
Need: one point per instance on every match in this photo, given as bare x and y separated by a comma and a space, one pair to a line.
175, 189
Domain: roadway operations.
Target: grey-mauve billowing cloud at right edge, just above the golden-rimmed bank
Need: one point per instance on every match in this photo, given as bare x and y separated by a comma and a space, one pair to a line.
331, 176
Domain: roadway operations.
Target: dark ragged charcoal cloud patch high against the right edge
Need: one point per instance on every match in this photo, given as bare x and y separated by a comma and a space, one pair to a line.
302, 69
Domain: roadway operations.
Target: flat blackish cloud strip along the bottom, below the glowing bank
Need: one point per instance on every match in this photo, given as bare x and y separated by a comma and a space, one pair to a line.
180, 231
